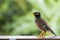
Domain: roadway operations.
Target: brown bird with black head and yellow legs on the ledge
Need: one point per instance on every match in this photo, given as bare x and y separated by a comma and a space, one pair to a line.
42, 24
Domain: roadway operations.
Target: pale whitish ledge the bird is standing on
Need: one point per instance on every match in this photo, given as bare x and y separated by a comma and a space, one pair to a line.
29, 37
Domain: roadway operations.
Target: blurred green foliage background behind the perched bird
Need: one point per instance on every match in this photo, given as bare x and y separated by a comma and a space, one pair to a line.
16, 16
